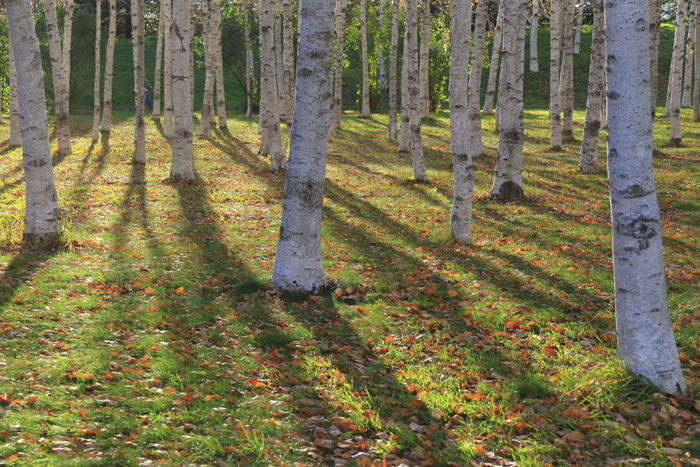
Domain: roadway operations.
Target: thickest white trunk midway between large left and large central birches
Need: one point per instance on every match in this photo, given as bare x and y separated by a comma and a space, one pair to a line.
182, 165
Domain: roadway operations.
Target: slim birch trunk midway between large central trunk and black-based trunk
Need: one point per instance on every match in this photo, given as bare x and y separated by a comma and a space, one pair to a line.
414, 92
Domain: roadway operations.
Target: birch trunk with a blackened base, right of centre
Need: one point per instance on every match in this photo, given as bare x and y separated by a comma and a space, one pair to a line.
508, 179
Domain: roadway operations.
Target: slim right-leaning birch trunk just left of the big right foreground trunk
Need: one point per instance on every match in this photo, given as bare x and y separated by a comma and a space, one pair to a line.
588, 162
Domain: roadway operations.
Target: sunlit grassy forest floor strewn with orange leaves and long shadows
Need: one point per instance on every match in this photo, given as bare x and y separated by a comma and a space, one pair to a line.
153, 335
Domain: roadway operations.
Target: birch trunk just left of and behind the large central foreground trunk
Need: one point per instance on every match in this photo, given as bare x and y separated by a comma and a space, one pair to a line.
270, 133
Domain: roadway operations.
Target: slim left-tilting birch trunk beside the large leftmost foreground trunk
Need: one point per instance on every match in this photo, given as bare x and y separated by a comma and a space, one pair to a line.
57, 73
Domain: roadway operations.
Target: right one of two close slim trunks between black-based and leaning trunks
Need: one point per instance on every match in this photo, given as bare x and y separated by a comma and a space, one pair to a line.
566, 83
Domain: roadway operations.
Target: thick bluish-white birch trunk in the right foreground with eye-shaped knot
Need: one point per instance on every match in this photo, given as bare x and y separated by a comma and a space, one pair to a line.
645, 337
